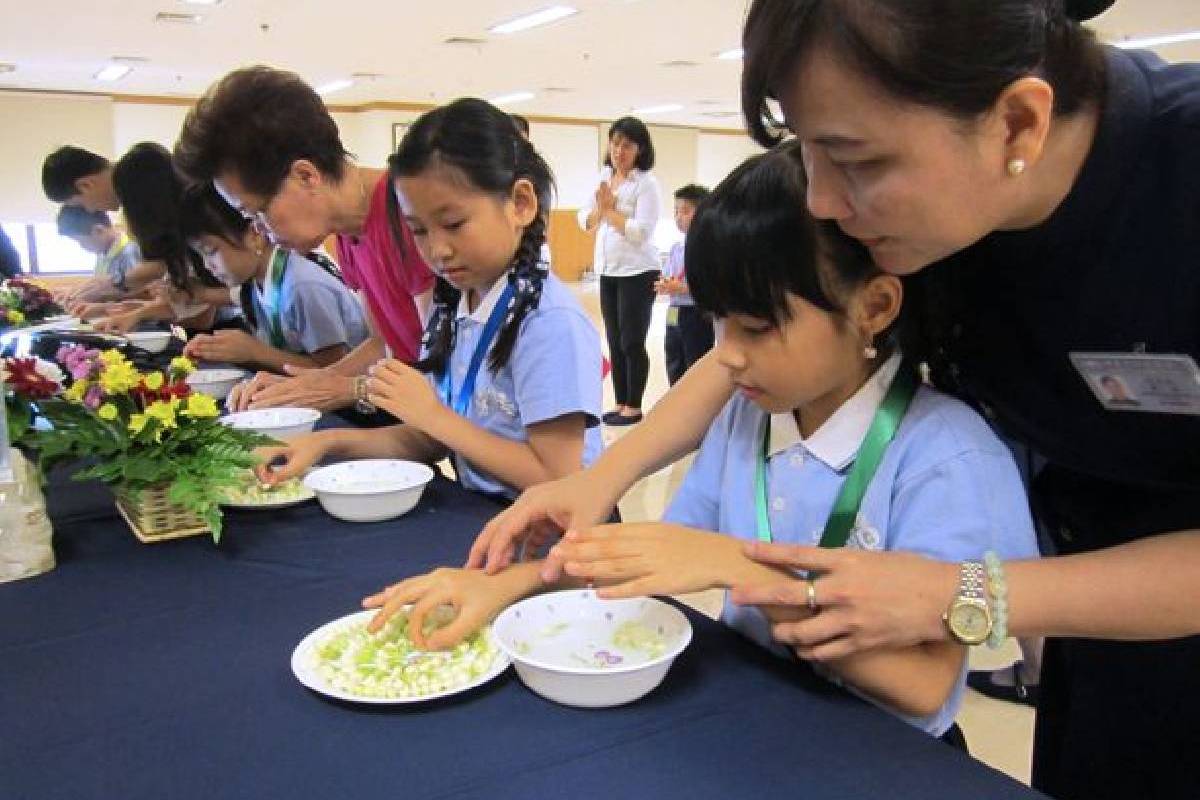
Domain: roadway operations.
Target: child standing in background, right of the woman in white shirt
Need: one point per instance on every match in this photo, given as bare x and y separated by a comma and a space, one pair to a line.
689, 333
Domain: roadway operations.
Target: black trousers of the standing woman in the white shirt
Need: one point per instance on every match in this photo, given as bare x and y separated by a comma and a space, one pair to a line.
627, 304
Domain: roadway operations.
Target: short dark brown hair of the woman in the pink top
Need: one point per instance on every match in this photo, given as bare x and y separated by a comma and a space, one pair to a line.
257, 122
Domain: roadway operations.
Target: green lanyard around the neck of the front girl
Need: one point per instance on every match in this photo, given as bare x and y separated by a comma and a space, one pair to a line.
871, 454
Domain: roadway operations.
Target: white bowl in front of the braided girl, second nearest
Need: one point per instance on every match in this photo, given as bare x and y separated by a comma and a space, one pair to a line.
370, 490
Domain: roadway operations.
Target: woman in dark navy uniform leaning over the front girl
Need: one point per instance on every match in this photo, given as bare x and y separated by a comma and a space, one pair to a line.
1046, 190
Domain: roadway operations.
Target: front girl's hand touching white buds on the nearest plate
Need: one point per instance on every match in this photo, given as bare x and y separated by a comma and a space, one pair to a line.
477, 598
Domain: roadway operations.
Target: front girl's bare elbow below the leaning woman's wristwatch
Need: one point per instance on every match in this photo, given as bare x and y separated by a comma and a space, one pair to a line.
914, 681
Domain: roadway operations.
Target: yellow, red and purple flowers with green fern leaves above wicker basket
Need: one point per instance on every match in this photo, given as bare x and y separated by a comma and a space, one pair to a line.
143, 430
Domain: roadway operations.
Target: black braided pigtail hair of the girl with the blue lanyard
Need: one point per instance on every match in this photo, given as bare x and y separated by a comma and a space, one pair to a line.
483, 145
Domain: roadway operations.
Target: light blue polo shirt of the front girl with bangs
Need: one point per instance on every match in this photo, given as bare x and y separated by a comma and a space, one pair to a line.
947, 489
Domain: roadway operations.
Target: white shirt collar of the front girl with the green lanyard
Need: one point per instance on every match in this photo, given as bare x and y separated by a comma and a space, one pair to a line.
838, 441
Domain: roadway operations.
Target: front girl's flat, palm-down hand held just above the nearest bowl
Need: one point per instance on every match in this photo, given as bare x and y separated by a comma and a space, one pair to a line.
649, 558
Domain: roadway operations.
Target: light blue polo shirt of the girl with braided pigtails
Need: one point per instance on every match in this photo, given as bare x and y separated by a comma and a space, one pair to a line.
554, 371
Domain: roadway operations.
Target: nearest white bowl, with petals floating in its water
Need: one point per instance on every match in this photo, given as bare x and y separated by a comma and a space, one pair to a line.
566, 646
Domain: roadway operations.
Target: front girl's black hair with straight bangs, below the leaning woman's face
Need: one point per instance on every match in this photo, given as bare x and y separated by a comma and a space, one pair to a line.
753, 243
